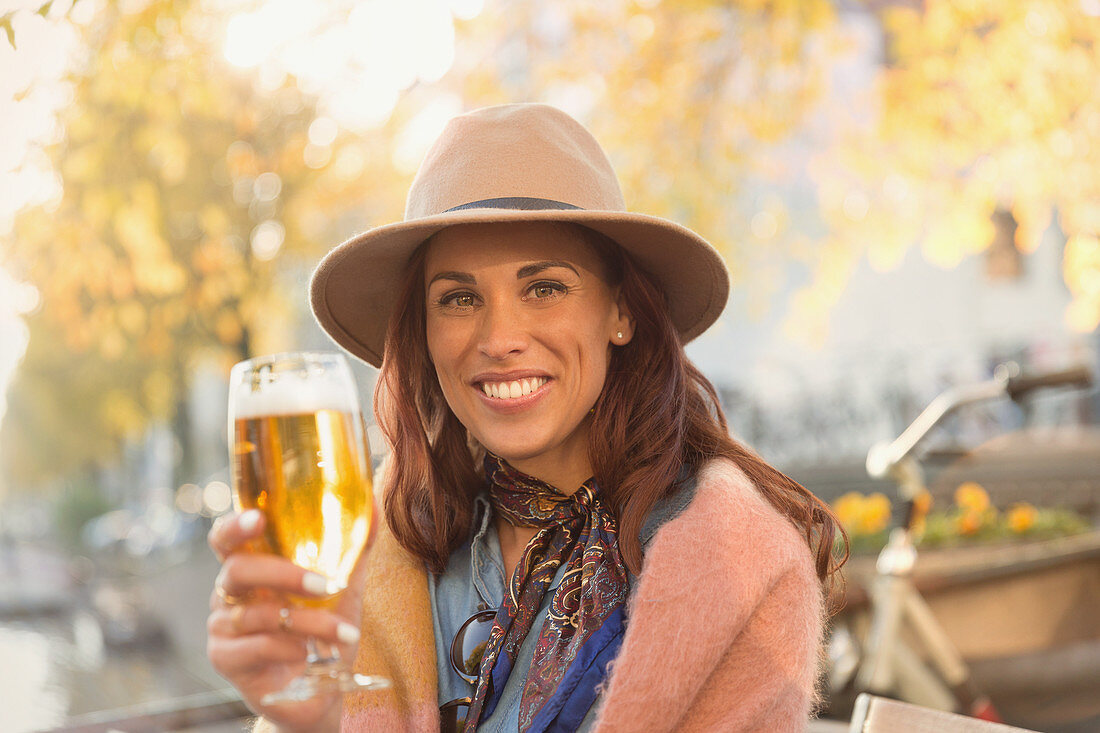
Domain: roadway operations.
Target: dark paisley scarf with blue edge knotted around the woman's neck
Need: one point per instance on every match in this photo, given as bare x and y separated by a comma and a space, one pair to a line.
584, 629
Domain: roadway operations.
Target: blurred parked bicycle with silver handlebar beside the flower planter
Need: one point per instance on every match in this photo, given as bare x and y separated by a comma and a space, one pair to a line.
930, 673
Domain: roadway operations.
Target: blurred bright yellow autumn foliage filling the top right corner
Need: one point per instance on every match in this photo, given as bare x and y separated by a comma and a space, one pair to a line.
983, 129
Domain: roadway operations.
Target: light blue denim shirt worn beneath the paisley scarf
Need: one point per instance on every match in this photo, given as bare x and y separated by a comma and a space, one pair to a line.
476, 576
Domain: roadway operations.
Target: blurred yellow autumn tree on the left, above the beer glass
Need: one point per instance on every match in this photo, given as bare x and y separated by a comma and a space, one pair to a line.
195, 202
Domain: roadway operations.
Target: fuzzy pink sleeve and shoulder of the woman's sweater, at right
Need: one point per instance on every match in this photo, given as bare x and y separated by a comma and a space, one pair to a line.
742, 576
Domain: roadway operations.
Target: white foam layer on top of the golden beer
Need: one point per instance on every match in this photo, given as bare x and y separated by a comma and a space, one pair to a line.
293, 396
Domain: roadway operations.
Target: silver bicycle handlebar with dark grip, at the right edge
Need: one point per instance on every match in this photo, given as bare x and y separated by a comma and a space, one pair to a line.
1007, 380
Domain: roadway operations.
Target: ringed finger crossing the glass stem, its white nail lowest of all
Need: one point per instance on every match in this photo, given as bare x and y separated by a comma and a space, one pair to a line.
272, 619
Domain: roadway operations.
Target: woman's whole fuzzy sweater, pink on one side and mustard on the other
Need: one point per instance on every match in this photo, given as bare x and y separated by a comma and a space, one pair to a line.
724, 629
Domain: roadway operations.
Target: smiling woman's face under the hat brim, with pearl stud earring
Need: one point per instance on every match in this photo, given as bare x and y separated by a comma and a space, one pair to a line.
521, 323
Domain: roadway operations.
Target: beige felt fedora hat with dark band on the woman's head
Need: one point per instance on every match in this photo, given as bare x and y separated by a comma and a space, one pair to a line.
511, 163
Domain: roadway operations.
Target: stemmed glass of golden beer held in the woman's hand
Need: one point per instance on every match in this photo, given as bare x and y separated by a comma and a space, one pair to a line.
299, 454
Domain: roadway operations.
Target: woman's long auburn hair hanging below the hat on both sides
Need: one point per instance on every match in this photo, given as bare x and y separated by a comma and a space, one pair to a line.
656, 414
